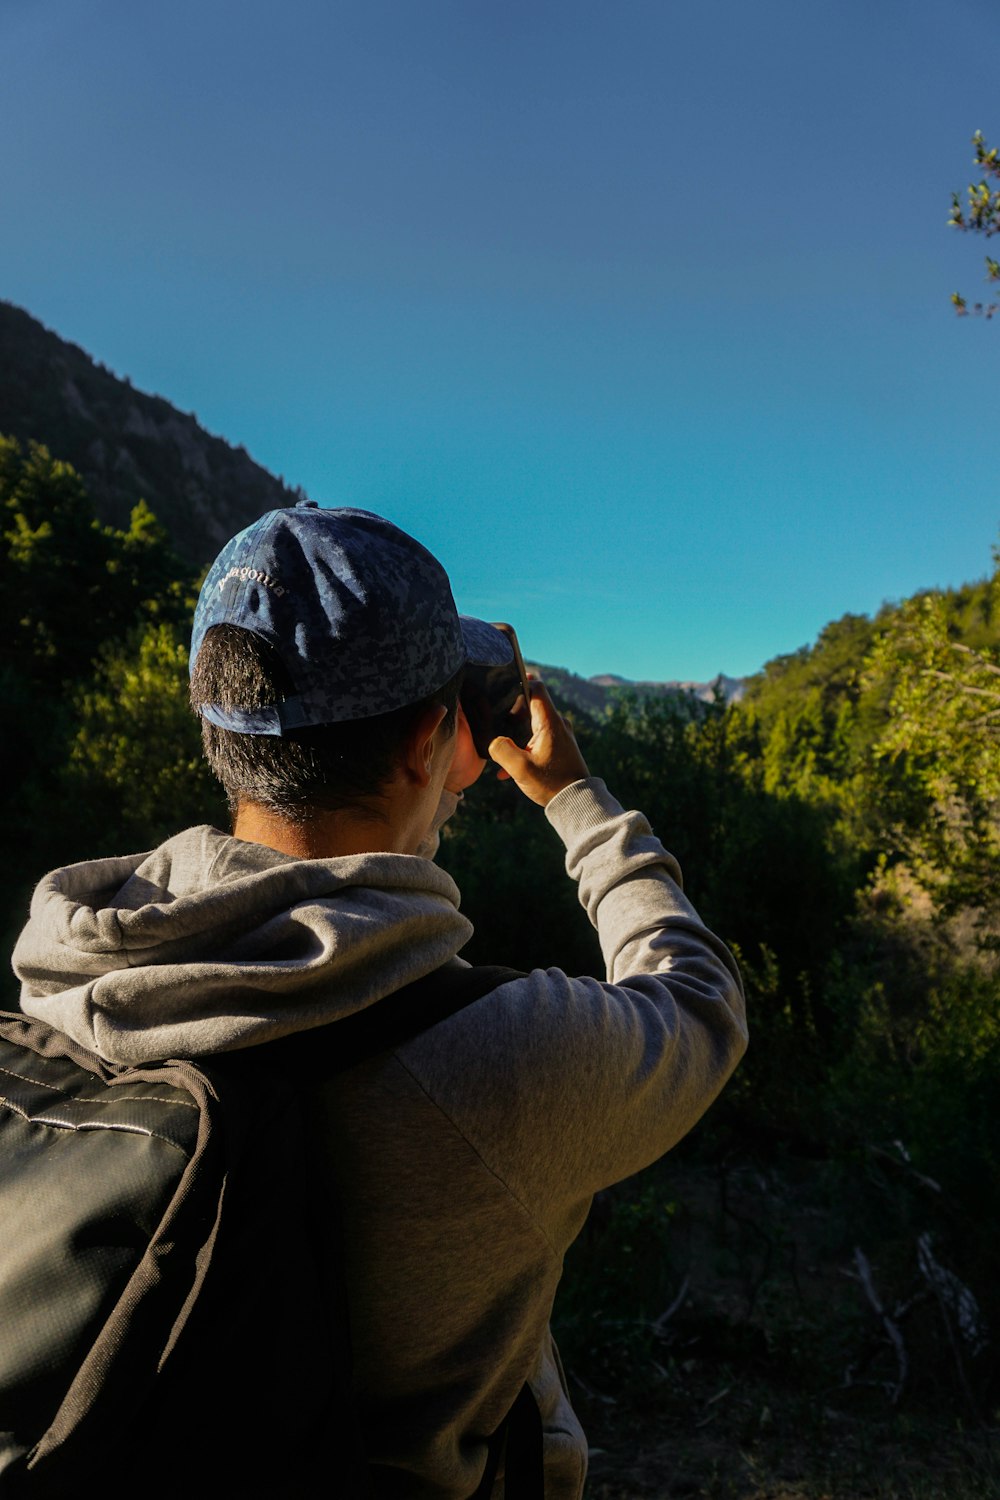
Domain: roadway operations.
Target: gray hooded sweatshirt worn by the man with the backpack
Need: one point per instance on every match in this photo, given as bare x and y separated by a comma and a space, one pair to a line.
466, 1160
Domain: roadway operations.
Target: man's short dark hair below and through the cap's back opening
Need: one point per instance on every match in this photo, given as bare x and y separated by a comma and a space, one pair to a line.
322, 769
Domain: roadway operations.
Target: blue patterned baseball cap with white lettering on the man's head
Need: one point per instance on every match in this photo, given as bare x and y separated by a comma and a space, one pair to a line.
359, 613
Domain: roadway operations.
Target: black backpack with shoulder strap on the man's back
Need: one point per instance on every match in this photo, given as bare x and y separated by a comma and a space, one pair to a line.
169, 1271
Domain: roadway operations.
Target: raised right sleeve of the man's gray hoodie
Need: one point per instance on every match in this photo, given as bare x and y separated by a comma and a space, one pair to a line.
566, 1085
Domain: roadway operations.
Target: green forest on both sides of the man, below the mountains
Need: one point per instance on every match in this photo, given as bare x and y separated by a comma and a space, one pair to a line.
810, 1279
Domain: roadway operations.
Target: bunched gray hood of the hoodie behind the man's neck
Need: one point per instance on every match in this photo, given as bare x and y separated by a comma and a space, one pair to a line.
211, 944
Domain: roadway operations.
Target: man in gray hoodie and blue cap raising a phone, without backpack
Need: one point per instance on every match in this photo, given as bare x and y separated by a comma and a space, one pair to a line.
326, 667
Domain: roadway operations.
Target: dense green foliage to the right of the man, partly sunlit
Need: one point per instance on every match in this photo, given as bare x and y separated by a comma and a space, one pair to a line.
839, 827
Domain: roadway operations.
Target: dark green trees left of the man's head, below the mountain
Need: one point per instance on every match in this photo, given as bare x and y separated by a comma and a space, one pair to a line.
100, 751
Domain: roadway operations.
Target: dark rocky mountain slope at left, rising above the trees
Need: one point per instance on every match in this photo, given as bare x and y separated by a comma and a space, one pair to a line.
128, 446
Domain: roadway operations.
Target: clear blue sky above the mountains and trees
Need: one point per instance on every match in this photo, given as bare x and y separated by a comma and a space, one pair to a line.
636, 313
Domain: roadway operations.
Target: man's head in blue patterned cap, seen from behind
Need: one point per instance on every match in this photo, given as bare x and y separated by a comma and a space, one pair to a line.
323, 641
